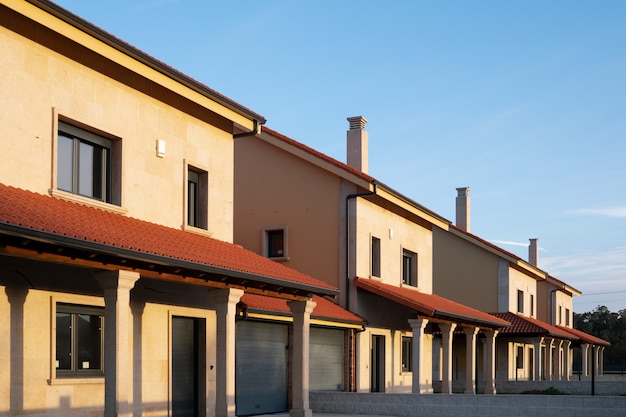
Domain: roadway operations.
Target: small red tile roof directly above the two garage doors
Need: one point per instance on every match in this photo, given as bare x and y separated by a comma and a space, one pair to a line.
325, 309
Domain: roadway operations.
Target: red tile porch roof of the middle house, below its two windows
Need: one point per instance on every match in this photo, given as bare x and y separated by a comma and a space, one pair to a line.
430, 304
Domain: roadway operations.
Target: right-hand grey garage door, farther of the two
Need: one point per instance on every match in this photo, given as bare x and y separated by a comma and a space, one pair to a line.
326, 359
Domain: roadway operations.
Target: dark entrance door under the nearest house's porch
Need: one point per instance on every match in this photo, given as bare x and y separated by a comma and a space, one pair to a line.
187, 367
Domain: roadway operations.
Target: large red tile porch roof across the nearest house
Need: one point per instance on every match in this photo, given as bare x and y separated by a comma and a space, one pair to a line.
33, 214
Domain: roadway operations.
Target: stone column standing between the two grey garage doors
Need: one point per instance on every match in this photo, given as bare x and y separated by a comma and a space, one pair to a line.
301, 311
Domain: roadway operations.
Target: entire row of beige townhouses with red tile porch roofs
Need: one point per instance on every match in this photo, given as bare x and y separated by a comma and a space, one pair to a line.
162, 252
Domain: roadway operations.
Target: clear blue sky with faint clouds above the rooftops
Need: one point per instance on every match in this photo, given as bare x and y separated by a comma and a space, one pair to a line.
524, 102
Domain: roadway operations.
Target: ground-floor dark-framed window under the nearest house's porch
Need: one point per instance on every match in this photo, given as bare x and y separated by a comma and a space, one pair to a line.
79, 340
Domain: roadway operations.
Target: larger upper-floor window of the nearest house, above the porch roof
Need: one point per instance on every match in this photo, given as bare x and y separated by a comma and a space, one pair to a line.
84, 164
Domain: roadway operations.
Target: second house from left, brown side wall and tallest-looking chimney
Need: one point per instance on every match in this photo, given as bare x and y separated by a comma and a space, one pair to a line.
332, 220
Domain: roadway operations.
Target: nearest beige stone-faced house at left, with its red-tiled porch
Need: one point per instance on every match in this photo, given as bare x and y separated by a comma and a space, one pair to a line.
120, 288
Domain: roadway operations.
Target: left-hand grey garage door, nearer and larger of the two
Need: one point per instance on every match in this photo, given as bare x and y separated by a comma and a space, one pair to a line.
261, 361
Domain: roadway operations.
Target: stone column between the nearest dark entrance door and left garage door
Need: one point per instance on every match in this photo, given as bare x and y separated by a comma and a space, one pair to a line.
225, 301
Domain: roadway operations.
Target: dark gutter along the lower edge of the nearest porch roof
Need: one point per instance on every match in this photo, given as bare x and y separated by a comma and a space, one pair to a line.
101, 248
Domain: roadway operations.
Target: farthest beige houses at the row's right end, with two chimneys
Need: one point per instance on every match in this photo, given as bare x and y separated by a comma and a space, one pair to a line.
540, 343
